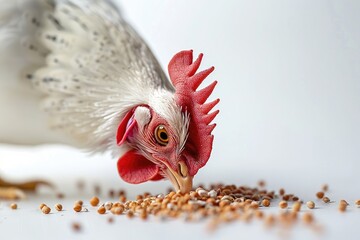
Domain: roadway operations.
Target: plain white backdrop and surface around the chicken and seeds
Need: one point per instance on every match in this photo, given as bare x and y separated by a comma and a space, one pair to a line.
289, 85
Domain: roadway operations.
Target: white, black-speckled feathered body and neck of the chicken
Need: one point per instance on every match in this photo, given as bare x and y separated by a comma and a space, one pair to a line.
70, 69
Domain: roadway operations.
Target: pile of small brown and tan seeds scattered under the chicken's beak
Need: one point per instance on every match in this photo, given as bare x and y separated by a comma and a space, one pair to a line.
219, 203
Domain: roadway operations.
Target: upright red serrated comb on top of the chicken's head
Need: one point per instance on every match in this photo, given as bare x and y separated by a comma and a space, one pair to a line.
182, 71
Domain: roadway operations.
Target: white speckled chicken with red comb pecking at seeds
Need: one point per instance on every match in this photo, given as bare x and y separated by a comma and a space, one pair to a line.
74, 72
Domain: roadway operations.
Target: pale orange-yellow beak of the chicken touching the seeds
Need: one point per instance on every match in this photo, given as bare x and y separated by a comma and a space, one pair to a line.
180, 179
